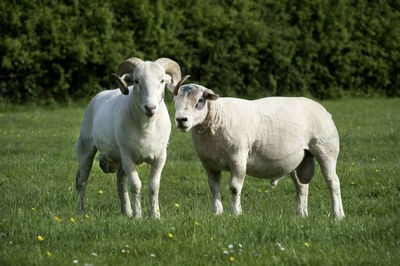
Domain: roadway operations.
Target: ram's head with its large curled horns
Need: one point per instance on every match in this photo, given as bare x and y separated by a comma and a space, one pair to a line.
148, 80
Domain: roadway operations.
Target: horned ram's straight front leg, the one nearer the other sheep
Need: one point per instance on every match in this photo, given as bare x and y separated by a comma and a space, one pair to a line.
154, 184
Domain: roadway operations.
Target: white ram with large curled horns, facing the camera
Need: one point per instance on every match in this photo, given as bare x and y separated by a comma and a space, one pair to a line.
128, 126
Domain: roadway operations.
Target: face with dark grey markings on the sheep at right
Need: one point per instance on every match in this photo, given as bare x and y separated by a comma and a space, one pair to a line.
191, 106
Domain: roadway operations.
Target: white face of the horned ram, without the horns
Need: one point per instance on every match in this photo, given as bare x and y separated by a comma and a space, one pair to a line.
149, 80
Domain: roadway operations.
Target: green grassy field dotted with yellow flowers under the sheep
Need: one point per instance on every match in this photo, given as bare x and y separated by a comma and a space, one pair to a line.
39, 226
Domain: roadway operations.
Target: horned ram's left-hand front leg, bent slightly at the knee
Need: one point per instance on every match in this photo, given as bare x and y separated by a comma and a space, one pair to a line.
135, 186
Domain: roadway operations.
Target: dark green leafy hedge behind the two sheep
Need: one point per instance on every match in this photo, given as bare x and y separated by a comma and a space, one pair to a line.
58, 50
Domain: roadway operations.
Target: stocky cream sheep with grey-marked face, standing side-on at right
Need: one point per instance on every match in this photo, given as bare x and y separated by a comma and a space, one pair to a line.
269, 137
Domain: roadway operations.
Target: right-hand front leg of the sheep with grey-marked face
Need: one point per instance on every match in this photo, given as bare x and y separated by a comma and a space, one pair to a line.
238, 173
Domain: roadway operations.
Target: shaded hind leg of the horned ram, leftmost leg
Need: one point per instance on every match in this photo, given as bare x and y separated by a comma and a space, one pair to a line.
86, 155
